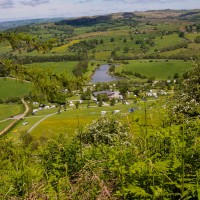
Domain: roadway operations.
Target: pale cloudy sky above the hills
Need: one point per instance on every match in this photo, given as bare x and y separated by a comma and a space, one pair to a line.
33, 9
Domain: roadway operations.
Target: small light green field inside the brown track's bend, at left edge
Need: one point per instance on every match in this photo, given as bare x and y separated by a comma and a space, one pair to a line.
8, 110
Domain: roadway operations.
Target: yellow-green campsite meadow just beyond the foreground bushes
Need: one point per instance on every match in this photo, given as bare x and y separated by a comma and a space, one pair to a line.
68, 122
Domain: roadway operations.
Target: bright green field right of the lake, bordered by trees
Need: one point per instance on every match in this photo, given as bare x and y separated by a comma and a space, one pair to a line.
158, 68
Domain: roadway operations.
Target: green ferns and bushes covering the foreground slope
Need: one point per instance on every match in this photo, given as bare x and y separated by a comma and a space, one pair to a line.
108, 158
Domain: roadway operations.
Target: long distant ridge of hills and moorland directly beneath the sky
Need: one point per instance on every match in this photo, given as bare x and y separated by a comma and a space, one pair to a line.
191, 15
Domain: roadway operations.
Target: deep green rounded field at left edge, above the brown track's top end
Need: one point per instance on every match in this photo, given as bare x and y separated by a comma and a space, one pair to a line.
13, 88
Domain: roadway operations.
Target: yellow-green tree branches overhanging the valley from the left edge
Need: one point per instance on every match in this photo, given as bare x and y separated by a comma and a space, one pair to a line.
46, 84
